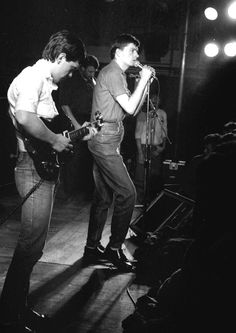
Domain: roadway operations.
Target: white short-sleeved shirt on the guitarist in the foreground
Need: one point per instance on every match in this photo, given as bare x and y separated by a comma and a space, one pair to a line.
31, 91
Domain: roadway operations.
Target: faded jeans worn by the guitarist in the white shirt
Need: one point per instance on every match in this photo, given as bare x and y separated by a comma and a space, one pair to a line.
35, 219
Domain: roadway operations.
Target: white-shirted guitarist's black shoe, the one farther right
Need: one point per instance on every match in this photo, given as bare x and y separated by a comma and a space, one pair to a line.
34, 319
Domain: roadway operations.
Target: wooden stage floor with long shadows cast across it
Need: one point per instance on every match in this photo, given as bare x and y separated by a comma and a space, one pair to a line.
78, 299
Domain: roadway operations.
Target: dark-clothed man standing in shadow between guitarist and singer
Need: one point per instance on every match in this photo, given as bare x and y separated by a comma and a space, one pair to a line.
75, 98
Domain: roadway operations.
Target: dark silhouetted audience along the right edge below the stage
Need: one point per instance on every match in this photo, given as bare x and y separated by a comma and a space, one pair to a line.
198, 296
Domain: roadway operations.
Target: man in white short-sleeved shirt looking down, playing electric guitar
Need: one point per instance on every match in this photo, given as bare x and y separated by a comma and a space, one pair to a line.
30, 99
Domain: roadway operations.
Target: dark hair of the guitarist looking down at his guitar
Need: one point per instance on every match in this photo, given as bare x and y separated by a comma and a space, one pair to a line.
66, 42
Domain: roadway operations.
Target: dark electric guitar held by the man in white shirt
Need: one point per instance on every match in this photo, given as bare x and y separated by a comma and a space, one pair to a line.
46, 160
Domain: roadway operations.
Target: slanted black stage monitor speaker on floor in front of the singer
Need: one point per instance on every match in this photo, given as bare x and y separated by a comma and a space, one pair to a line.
168, 208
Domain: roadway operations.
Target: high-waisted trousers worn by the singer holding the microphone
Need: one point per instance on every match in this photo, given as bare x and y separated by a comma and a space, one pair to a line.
112, 181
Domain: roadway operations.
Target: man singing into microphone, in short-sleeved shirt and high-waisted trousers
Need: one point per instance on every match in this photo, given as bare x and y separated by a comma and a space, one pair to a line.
112, 181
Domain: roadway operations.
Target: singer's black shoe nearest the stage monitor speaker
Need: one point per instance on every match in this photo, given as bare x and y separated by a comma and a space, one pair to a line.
118, 259
